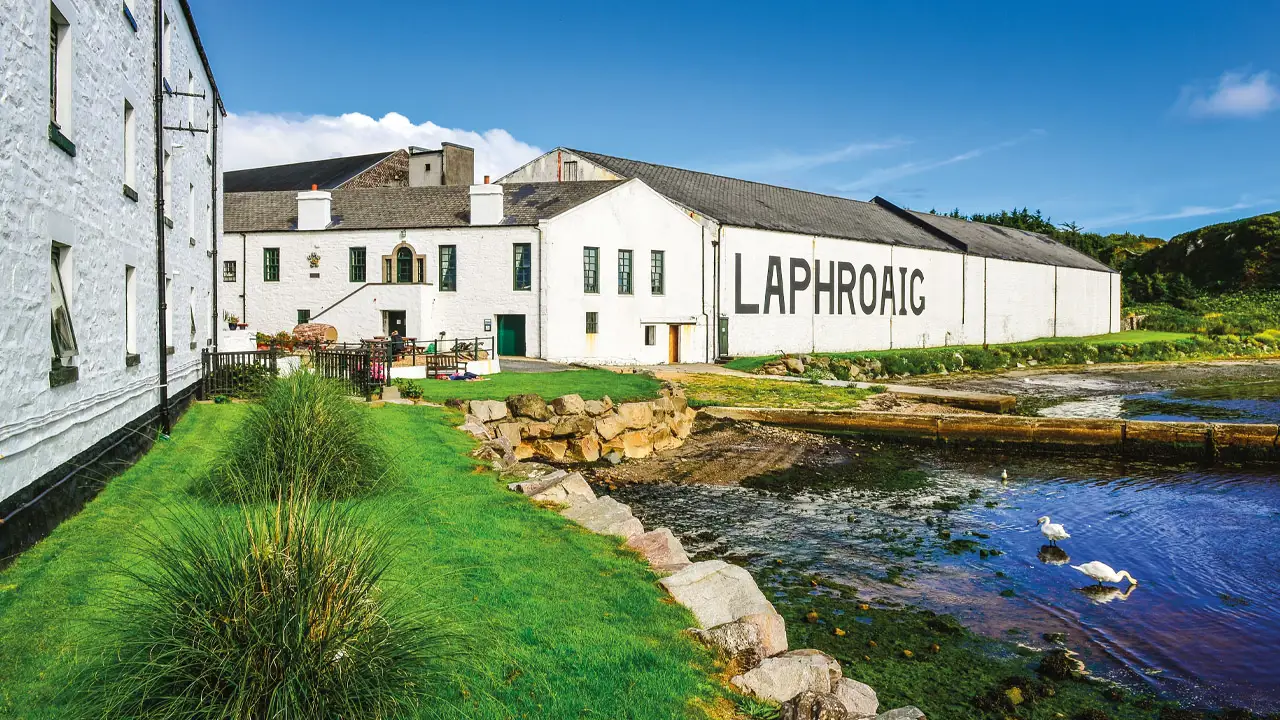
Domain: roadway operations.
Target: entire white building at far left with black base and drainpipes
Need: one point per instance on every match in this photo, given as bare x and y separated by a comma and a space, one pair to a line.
109, 207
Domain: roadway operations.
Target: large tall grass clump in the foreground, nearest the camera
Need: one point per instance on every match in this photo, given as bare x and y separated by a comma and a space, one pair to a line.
277, 613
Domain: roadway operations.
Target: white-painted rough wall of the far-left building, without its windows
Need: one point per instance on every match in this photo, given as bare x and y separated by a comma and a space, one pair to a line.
48, 197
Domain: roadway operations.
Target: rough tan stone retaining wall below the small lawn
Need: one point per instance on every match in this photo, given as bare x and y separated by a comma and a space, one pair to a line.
572, 430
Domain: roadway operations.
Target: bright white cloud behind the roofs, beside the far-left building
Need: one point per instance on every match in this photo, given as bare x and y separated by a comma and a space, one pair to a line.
255, 140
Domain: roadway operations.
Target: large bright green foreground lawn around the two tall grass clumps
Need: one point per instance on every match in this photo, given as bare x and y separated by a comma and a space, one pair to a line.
569, 625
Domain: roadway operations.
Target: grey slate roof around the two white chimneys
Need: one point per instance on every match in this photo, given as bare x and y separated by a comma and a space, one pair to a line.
403, 208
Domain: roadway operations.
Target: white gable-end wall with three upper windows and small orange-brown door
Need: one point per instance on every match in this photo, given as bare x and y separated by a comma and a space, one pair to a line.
632, 217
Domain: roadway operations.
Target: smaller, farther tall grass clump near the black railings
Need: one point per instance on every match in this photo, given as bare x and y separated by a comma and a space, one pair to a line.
304, 434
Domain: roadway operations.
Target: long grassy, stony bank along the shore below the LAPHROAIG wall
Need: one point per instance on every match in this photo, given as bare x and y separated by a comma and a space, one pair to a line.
1137, 347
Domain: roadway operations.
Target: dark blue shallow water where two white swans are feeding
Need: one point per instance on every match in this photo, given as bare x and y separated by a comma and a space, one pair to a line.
1203, 625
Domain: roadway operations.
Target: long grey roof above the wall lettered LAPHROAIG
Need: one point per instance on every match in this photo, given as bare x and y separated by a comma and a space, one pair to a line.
758, 206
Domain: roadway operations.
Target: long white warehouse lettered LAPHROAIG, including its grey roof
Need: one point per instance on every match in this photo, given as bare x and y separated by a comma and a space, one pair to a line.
801, 272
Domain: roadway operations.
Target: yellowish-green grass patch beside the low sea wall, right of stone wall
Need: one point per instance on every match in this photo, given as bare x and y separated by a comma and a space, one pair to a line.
748, 393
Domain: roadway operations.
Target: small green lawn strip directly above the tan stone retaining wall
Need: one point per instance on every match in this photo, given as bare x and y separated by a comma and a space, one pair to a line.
592, 385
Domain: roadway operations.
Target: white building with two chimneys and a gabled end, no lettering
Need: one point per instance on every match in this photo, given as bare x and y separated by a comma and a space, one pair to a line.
600, 272
